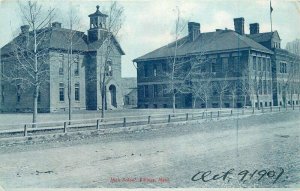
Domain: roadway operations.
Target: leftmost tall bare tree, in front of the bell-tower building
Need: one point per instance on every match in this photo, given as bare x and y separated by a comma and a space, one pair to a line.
29, 49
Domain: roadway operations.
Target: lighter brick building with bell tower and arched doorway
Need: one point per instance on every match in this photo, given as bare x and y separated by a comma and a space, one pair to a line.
86, 70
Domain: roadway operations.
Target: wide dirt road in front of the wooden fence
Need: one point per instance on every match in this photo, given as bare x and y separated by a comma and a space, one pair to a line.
209, 154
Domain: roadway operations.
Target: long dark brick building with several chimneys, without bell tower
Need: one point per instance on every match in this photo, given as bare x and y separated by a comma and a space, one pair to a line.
232, 56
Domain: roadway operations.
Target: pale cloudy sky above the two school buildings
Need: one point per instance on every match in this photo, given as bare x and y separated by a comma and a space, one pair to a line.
149, 25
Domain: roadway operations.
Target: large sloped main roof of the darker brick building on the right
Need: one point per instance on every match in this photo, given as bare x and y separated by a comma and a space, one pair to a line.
221, 40
